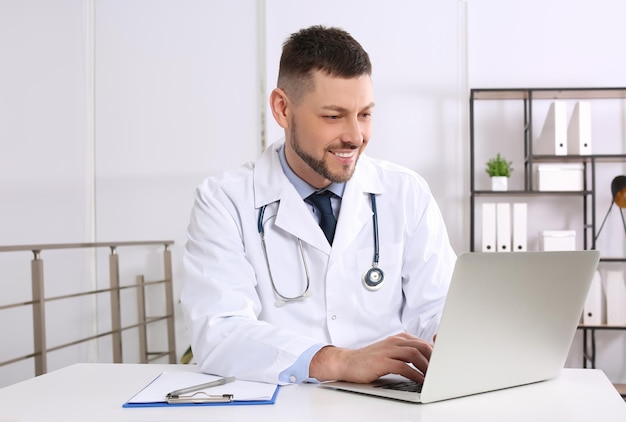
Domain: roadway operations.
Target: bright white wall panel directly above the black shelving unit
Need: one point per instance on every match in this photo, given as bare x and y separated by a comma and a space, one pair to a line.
546, 43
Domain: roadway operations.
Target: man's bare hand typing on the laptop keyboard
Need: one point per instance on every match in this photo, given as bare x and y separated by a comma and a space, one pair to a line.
389, 356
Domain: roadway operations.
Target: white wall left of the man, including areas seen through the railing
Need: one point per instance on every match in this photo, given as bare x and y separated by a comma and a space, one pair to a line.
111, 113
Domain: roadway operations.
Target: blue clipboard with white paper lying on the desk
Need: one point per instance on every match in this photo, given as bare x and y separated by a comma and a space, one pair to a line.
155, 394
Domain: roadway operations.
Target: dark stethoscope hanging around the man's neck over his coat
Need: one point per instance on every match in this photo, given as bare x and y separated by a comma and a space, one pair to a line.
372, 278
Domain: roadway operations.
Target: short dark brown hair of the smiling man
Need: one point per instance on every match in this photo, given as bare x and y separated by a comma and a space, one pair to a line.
331, 50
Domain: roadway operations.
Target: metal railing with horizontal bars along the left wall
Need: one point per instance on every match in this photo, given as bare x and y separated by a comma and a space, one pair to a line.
39, 300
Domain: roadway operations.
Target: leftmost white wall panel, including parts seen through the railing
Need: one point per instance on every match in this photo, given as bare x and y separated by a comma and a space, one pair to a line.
46, 168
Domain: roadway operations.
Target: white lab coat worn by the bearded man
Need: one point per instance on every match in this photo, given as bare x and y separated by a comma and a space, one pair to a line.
227, 297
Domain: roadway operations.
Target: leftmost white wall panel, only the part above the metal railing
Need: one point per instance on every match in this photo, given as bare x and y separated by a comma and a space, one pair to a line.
45, 162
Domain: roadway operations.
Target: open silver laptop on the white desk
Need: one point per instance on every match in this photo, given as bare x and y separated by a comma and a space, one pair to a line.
509, 320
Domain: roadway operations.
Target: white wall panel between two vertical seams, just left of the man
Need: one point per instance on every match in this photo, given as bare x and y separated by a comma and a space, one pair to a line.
176, 101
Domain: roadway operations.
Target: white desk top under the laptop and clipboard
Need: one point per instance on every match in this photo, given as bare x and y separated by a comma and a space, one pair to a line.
96, 392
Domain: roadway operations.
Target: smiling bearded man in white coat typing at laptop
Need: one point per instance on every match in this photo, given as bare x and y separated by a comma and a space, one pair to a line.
268, 294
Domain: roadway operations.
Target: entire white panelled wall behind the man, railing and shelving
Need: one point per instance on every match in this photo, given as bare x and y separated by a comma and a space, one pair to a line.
111, 112
